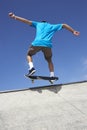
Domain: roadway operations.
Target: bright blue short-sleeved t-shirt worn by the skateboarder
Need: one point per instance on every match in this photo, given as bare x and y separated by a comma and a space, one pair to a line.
44, 33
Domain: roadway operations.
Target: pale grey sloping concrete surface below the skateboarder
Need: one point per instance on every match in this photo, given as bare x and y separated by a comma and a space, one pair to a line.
59, 107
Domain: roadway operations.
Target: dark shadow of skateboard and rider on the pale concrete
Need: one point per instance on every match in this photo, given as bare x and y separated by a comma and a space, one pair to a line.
52, 88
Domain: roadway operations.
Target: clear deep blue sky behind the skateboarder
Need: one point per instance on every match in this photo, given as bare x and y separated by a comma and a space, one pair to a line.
69, 51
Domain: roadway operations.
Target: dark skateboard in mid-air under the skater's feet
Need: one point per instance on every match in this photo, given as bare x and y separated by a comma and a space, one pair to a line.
32, 78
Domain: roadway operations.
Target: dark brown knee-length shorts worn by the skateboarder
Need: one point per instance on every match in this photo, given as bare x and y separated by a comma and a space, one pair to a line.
46, 51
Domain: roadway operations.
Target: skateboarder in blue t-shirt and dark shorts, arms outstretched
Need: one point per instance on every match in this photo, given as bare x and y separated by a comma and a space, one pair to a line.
43, 40
